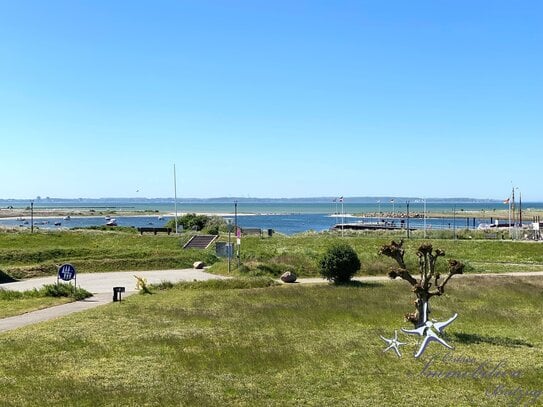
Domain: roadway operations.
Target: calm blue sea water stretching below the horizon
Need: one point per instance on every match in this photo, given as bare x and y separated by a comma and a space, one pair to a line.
287, 218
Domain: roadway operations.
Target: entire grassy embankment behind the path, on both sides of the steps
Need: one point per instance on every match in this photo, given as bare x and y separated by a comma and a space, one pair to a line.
28, 255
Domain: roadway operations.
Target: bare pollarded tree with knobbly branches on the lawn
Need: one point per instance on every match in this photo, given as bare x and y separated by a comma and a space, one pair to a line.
429, 283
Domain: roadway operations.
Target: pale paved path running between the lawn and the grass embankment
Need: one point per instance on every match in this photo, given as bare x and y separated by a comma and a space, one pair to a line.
101, 285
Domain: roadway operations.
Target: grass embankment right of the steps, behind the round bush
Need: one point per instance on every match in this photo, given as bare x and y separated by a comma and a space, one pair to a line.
300, 254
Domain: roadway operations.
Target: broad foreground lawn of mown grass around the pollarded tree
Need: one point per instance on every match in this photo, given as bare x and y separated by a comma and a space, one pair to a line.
282, 346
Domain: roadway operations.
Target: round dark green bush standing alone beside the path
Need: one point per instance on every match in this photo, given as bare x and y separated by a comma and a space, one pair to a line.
340, 263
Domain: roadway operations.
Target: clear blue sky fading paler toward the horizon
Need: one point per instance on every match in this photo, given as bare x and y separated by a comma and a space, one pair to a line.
271, 99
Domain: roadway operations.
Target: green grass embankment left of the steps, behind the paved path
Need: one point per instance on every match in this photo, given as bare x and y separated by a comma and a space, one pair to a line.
24, 255
